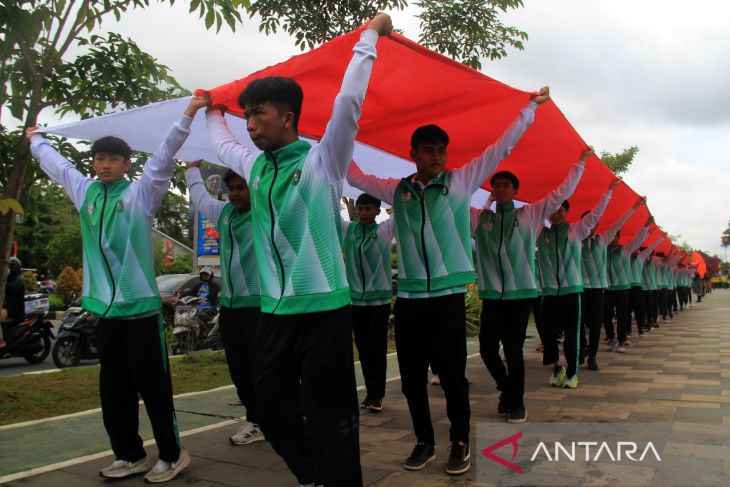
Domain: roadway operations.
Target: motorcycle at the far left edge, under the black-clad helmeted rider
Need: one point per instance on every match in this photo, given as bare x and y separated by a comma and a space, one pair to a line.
30, 339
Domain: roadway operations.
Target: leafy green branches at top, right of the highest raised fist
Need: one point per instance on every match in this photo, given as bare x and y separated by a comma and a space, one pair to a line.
469, 30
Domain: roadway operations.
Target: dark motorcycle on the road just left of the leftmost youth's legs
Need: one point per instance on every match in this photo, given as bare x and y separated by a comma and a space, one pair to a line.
77, 339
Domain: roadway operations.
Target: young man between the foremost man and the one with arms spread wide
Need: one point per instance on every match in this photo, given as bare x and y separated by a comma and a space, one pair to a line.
366, 250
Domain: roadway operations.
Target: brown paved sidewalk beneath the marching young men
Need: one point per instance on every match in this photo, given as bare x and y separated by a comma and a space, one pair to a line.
679, 373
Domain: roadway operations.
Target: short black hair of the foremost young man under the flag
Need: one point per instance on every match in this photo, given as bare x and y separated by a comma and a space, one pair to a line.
284, 93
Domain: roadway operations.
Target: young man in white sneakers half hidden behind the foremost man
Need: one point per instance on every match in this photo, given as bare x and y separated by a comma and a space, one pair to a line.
239, 298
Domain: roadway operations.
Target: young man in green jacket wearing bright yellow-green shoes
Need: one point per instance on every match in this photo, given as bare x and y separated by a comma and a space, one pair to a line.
559, 254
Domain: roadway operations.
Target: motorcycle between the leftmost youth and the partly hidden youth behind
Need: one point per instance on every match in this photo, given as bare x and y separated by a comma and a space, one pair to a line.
194, 329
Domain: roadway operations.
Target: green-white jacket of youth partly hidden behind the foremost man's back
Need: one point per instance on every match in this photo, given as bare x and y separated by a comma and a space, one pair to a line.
239, 273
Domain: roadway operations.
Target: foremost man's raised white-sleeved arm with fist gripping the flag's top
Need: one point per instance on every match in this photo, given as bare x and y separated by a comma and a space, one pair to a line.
334, 152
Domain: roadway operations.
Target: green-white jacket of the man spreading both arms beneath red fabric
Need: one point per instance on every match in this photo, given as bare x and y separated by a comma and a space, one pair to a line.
432, 222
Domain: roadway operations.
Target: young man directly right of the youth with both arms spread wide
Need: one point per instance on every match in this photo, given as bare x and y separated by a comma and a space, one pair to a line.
505, 248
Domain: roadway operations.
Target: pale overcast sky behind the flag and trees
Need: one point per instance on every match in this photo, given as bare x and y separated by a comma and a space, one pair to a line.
651, 73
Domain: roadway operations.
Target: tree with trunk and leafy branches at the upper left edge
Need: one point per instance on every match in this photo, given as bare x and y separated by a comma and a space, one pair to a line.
37, 73
